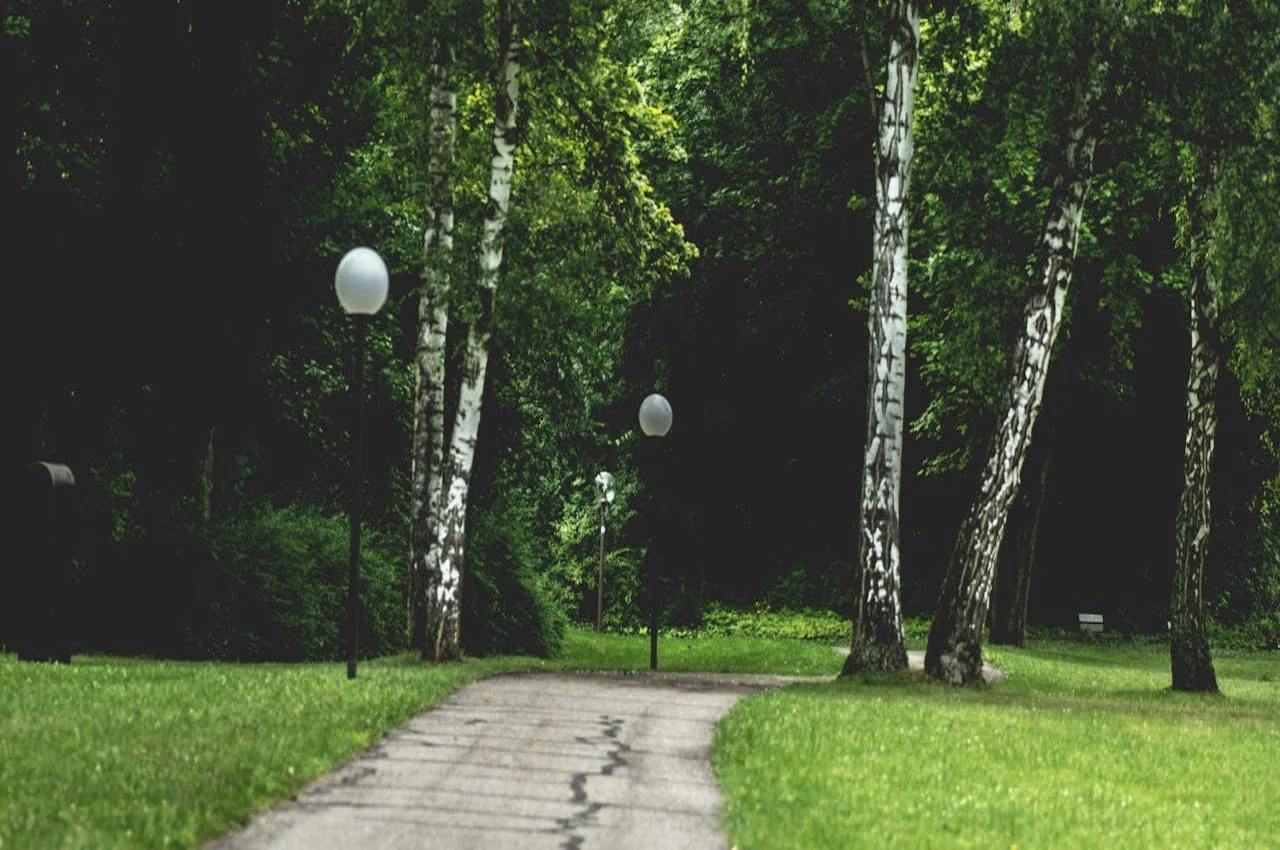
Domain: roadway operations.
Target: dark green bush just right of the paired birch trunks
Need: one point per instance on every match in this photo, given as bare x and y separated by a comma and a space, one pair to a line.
508, 605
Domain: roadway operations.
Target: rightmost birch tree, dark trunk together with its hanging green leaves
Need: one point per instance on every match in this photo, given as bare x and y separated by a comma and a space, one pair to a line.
1227, 108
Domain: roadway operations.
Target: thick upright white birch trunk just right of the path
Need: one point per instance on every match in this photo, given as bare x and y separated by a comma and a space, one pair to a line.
879, 642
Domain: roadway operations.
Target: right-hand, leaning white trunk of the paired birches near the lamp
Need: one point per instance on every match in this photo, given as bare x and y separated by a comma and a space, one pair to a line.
447, 637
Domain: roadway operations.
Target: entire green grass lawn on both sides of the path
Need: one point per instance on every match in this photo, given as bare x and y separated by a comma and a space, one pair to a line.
1082, 747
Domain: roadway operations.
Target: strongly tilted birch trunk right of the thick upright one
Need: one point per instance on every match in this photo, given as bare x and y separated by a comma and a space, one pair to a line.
954, 651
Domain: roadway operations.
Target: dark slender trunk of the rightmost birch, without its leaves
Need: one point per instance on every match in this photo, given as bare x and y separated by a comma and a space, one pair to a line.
1188, 646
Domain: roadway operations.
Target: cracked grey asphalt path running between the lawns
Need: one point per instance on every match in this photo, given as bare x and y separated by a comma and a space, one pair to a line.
565, 762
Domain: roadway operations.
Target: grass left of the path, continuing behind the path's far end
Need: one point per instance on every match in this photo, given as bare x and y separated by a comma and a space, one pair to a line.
132, 753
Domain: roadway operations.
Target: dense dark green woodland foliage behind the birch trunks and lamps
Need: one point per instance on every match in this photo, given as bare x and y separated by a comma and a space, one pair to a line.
692, 216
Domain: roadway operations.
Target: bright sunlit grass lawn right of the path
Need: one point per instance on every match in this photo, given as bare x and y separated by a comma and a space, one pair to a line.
1082, 747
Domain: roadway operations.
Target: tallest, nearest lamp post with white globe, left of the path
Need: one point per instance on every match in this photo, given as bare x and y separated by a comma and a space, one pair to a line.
362, 286
